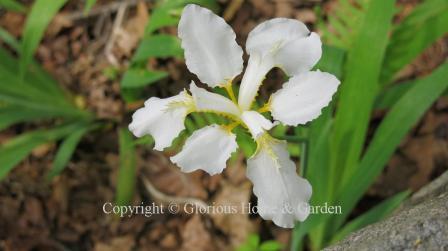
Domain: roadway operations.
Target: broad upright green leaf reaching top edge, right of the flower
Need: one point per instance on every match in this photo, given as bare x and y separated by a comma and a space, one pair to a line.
360, 86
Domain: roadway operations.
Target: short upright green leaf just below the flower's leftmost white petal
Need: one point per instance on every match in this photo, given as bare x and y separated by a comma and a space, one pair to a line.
128, 164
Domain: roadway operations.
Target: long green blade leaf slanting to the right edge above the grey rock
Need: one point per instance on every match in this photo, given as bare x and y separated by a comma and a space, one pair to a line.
397, 123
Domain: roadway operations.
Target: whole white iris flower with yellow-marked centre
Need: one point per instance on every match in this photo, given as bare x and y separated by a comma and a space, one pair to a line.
212, 53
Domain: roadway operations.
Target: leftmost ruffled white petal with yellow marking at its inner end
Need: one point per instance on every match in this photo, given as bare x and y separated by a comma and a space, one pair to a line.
163, 119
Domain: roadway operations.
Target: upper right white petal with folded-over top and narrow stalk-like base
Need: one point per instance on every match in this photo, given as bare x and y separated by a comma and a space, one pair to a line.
279, 42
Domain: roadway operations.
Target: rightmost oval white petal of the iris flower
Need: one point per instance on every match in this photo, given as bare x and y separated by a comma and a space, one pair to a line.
303, 97
